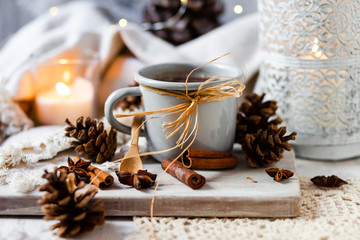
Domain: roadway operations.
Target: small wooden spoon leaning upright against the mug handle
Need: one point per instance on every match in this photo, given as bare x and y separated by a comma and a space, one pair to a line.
133, 163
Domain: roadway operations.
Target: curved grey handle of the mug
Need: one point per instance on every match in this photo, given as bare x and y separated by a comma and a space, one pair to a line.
110, 103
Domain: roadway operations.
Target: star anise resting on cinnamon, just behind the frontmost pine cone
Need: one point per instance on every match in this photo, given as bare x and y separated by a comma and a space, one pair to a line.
79, 167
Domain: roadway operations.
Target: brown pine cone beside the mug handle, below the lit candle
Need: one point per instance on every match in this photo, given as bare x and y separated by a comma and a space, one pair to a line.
93, 141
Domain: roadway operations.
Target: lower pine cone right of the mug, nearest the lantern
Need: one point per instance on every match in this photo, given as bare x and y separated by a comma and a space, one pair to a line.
266, 146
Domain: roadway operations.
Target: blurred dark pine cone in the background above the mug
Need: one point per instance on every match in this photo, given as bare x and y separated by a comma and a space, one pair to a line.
200, 17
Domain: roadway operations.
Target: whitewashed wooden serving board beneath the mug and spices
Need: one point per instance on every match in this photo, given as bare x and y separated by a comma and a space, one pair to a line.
227, 193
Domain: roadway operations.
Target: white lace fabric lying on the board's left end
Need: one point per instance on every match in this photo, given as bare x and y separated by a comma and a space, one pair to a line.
20, 153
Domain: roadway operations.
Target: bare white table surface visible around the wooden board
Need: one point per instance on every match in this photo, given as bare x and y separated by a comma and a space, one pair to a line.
118, 228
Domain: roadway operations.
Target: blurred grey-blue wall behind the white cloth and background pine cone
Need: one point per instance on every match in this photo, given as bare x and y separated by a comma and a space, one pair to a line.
16, 13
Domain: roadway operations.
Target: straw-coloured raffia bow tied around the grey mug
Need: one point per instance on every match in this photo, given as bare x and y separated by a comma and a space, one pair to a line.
187, 109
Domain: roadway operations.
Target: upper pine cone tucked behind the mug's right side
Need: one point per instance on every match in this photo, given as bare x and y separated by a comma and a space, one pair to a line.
254, 115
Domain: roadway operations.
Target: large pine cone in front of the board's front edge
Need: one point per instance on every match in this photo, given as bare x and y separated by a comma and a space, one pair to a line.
77, 212
